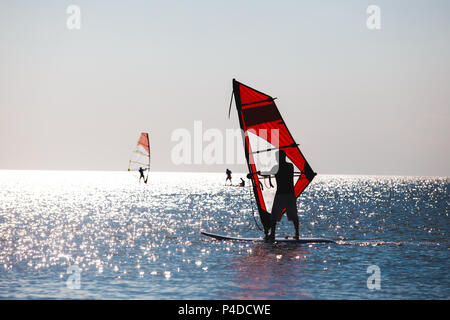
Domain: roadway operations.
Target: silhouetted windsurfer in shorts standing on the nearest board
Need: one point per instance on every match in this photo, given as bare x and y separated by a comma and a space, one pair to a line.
284, 196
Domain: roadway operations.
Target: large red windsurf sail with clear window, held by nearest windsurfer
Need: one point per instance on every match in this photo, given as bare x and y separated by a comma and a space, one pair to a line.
265, 132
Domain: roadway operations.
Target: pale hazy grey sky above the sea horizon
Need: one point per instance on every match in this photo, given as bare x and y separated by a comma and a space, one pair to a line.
358, 101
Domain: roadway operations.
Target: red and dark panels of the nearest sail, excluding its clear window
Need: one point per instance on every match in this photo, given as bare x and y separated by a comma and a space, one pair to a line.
258, 112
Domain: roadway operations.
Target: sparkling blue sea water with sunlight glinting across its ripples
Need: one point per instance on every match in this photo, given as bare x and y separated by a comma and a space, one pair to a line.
142, 241
